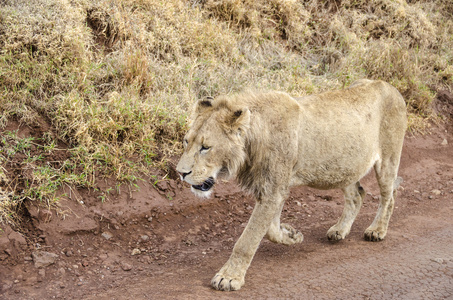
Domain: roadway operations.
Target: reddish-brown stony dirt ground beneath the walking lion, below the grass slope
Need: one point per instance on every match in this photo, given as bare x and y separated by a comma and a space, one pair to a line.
163, 243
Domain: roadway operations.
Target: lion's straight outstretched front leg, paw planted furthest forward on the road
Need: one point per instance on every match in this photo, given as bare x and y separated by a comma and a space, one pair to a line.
231, 275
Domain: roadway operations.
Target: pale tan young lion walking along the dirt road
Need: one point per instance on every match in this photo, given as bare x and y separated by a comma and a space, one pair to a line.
271, 141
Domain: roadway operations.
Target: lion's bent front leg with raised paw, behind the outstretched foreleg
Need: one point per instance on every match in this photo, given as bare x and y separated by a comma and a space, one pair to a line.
282, 233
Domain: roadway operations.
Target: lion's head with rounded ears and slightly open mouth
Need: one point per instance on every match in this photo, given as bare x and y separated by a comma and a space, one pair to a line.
214, 145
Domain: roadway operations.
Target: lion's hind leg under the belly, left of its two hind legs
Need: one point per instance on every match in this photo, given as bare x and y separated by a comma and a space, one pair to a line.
353, 195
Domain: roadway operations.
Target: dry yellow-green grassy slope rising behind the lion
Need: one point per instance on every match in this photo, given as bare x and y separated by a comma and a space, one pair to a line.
115, 80
